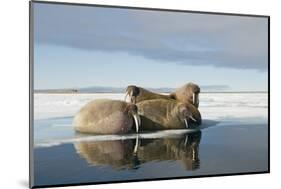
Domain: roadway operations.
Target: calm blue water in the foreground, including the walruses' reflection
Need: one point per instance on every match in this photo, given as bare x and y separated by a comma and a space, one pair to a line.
231, 146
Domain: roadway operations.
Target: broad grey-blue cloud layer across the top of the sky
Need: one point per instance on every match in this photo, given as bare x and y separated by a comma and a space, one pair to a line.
182, 38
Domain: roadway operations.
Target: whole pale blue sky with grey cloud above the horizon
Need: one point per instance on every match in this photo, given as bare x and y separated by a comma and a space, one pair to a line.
78, 46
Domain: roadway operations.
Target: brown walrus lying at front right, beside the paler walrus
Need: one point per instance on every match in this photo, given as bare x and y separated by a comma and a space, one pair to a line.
160, 114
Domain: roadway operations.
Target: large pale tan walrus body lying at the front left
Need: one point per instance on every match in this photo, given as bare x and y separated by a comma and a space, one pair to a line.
104, 117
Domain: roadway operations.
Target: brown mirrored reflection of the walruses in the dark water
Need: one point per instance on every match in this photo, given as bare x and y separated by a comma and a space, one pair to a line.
131, 153
